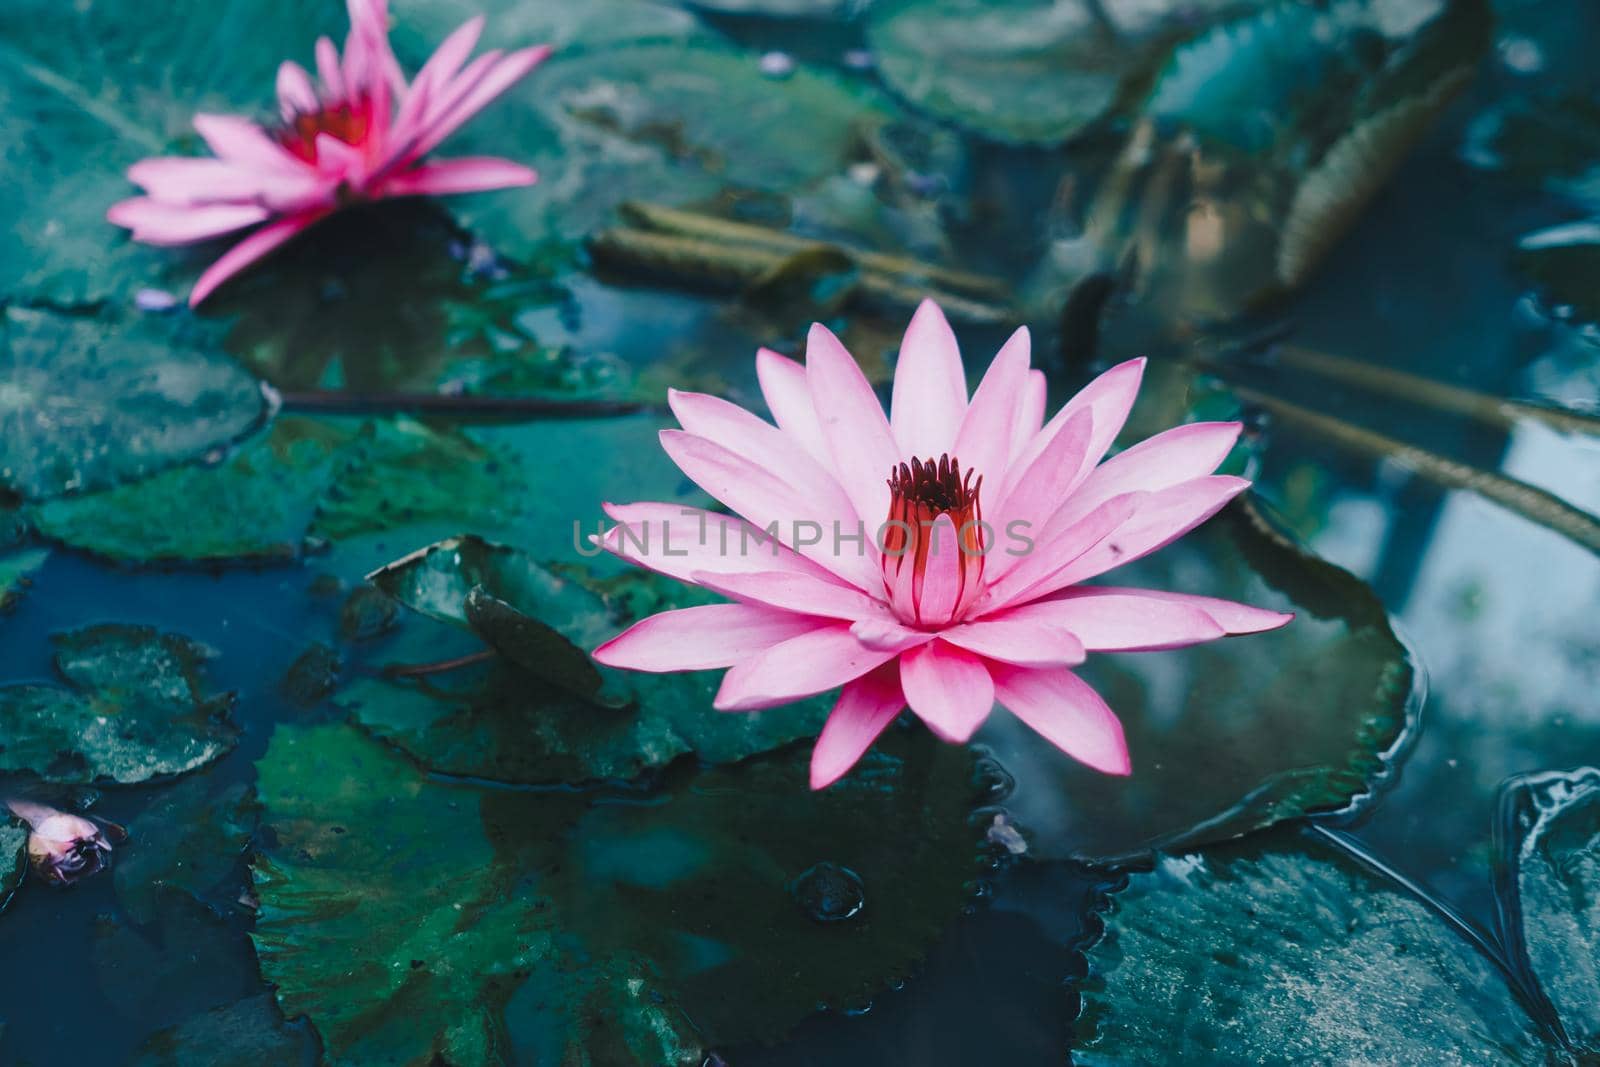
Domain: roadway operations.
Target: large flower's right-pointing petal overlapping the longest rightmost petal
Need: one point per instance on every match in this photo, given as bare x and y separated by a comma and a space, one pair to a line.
1114, 621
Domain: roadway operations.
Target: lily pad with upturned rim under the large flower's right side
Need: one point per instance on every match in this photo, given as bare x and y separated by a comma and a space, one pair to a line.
1234, 735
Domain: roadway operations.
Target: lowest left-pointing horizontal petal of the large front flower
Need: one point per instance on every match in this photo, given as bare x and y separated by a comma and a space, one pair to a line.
700, 639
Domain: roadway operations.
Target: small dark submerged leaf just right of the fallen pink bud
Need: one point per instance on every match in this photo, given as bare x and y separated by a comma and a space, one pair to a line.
193, 841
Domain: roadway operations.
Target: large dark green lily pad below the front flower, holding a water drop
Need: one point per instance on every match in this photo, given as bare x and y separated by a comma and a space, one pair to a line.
412, 919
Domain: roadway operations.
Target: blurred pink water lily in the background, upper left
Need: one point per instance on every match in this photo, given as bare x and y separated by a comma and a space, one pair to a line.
358, 134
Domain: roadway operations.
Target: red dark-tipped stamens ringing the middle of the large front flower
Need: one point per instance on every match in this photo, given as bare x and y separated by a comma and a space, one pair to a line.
919, 495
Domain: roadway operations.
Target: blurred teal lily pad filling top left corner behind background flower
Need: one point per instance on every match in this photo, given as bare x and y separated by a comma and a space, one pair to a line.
90, 90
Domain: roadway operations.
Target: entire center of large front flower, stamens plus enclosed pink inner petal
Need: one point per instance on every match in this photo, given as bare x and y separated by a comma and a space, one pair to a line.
934, 541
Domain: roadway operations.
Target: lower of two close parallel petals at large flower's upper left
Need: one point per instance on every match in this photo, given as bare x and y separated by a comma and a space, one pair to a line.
766, 500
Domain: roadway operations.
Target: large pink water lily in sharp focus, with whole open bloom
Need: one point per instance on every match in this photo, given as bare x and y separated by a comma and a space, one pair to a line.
982, 524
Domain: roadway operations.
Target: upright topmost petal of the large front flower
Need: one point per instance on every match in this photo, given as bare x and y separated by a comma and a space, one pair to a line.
930, 386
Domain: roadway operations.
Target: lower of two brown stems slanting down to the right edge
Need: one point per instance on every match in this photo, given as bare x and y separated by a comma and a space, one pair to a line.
1532, 503
